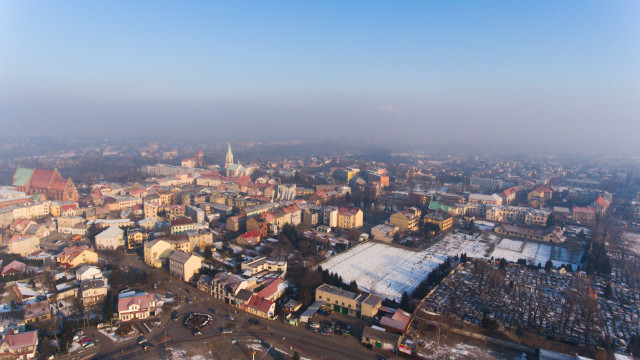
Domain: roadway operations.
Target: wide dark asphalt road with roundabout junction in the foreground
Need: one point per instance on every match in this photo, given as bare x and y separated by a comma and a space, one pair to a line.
284, 336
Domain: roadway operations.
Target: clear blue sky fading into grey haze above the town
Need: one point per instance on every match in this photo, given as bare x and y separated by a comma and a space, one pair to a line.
388, 64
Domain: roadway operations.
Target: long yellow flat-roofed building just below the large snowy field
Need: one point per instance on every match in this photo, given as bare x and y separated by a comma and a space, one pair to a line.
363, 305
